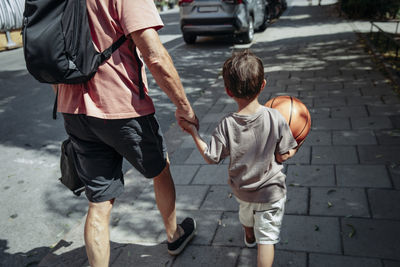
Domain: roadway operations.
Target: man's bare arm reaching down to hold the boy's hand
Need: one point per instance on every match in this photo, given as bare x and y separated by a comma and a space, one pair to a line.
163, 70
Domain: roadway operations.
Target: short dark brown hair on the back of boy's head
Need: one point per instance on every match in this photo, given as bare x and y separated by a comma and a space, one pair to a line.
243, 74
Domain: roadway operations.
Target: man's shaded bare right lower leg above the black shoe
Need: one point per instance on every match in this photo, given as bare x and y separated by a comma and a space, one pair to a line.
164, 190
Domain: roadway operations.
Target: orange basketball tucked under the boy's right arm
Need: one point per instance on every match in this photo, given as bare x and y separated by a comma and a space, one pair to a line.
295, 113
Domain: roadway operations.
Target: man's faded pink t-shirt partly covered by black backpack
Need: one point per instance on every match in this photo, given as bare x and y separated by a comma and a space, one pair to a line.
113, 93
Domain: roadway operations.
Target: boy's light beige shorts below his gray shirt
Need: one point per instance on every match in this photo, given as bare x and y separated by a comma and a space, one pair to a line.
266, 218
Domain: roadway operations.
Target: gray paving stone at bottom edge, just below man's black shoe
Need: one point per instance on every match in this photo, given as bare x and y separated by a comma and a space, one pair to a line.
207, 256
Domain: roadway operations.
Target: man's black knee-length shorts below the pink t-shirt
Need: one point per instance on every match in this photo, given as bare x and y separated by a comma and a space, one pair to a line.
100, 146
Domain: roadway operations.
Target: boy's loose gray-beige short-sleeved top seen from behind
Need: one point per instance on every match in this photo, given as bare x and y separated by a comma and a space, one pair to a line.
251, 142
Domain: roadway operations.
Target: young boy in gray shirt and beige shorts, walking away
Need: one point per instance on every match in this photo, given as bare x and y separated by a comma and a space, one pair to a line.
257, 139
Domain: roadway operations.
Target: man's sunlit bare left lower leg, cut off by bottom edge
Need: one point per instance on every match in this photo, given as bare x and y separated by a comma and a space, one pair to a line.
97, 235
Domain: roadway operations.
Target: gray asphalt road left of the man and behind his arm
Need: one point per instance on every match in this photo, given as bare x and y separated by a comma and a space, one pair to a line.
36, 210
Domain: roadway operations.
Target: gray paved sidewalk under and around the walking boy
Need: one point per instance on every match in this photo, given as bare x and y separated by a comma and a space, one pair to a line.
343, 185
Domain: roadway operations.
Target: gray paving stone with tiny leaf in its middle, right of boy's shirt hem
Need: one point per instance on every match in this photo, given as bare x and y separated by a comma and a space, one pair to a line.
339, 202
